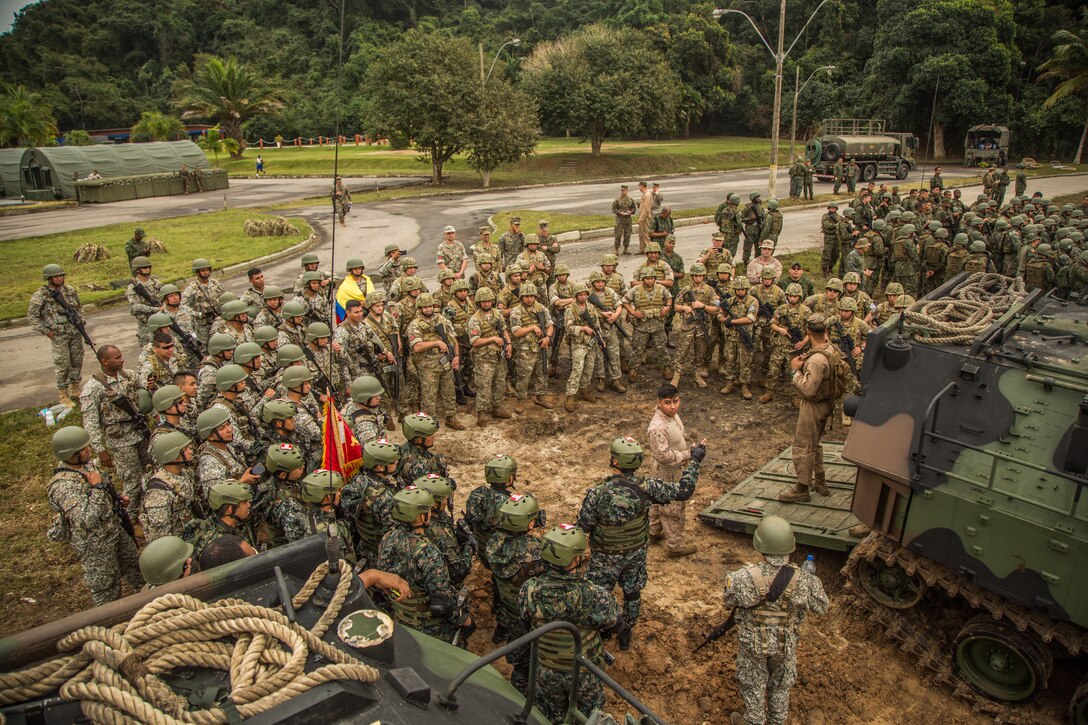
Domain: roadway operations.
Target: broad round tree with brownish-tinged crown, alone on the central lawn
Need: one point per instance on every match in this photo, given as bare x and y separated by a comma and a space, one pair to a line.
602, 82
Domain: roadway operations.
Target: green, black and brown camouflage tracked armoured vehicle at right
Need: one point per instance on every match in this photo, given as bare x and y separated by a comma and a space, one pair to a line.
972, 476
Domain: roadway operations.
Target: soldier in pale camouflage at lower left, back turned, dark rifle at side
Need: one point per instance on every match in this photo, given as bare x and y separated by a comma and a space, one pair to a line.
85, 518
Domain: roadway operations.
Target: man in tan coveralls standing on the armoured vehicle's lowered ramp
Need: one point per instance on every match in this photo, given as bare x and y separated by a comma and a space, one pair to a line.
820, 380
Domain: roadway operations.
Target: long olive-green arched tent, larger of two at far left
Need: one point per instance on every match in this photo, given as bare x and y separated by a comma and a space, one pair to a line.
57, 168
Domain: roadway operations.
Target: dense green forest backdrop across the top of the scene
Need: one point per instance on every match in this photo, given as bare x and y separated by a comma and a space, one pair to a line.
101, 64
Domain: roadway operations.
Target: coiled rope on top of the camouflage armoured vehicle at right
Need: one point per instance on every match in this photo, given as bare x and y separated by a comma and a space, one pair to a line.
967, 312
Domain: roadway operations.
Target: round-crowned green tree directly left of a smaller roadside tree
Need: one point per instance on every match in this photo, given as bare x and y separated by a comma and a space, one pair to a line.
426, 89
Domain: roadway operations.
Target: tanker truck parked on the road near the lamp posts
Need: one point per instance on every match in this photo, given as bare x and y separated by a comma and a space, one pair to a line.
866, 141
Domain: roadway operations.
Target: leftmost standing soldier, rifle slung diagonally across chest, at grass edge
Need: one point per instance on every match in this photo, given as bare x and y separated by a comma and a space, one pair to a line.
46, 316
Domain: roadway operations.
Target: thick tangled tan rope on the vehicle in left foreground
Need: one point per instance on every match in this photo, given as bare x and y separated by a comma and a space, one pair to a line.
116, 673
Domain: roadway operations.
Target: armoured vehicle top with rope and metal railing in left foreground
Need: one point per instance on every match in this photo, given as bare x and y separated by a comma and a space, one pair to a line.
315, 649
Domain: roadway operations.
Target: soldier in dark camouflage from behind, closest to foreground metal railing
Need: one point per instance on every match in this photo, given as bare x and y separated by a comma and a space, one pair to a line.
562, 595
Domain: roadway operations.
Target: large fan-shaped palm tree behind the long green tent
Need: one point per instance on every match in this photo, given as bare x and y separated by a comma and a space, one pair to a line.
226, 92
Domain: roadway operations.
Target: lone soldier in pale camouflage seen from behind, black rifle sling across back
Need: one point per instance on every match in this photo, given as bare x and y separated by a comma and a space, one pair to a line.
771, 600
